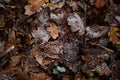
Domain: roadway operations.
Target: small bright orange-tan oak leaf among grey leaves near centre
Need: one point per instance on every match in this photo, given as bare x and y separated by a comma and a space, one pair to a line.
53, 29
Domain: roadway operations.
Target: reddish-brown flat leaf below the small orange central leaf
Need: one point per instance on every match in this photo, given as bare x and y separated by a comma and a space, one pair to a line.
52, 49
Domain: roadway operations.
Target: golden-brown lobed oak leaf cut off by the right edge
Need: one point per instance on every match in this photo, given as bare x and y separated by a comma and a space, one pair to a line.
113, 35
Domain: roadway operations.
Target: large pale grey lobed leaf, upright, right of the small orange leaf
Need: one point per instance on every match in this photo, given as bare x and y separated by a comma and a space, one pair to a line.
76, 23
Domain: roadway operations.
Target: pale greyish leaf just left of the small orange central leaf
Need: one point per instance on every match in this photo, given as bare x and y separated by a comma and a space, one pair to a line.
41, 34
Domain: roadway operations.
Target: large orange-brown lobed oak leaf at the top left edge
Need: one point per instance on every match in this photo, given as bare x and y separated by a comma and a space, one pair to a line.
34, 6
